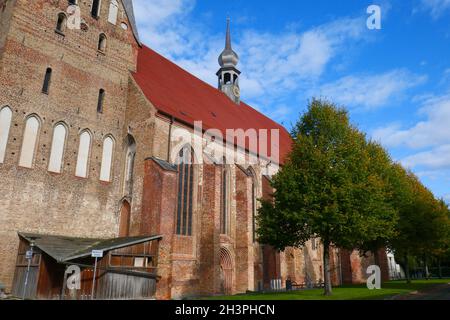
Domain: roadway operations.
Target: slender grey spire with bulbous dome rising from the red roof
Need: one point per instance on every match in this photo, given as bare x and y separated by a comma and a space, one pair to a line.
228, 74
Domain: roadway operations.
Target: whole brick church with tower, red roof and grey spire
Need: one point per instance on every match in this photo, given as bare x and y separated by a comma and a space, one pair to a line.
91, 157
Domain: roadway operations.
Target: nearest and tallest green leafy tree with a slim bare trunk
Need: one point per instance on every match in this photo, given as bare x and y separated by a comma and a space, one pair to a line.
328, 188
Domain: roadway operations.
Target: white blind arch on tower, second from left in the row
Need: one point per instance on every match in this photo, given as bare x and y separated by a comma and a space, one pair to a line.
30, 138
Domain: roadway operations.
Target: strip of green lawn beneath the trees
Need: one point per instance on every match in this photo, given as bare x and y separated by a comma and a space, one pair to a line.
389, 289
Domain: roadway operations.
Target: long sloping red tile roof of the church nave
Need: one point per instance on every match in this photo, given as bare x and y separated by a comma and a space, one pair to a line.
178, 93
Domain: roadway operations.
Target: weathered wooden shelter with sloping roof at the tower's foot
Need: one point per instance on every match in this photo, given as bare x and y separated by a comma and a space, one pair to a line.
61, 267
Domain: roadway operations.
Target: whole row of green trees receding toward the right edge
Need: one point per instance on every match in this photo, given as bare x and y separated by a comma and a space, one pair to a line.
345, 189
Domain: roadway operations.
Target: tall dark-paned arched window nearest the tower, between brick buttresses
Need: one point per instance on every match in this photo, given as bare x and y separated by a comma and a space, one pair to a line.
185, 191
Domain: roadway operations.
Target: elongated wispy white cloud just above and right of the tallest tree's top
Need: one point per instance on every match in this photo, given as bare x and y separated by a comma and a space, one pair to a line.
369, 91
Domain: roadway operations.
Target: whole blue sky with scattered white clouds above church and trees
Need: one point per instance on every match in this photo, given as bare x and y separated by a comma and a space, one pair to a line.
395, 81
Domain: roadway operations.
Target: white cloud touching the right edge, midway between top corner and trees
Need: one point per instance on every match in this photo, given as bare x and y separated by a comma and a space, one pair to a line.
431, 132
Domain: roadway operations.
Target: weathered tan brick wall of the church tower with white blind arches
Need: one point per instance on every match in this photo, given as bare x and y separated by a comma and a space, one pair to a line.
34, 200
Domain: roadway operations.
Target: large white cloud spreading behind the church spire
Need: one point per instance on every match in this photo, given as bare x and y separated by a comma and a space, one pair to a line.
272, 64
